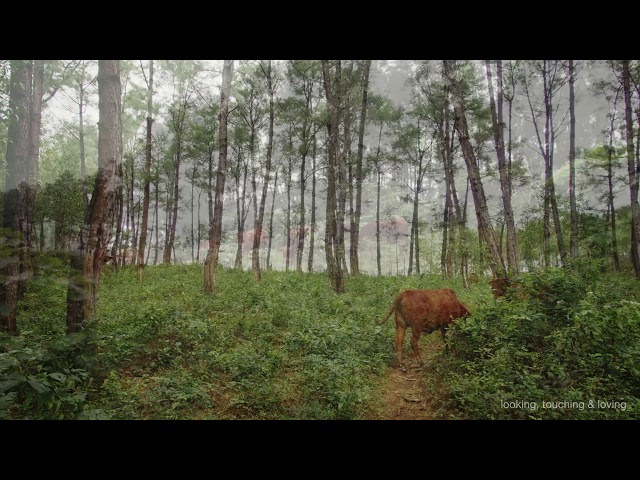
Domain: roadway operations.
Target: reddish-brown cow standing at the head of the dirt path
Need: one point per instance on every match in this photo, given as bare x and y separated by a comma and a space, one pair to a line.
423, 311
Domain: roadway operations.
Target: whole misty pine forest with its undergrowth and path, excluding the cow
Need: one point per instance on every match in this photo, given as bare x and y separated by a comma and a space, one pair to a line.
217, 239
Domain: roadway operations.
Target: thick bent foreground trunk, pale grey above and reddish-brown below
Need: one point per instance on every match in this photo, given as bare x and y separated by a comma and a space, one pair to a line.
88, 257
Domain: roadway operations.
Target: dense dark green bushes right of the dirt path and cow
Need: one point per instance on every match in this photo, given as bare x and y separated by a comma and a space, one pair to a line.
566, 346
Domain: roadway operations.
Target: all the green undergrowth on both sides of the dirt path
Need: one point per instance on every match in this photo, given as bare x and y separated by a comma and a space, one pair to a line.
289, 348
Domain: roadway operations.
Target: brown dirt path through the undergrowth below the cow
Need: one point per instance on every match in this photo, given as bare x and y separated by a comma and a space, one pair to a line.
409, 395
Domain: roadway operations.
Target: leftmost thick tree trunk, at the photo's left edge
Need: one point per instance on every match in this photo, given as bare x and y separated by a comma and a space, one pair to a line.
16, 180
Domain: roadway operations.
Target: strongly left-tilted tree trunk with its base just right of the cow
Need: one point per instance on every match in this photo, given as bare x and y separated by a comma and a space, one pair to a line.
477, 190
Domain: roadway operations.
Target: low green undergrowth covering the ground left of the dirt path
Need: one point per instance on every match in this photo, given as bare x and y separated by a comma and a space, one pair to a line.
284, 348
